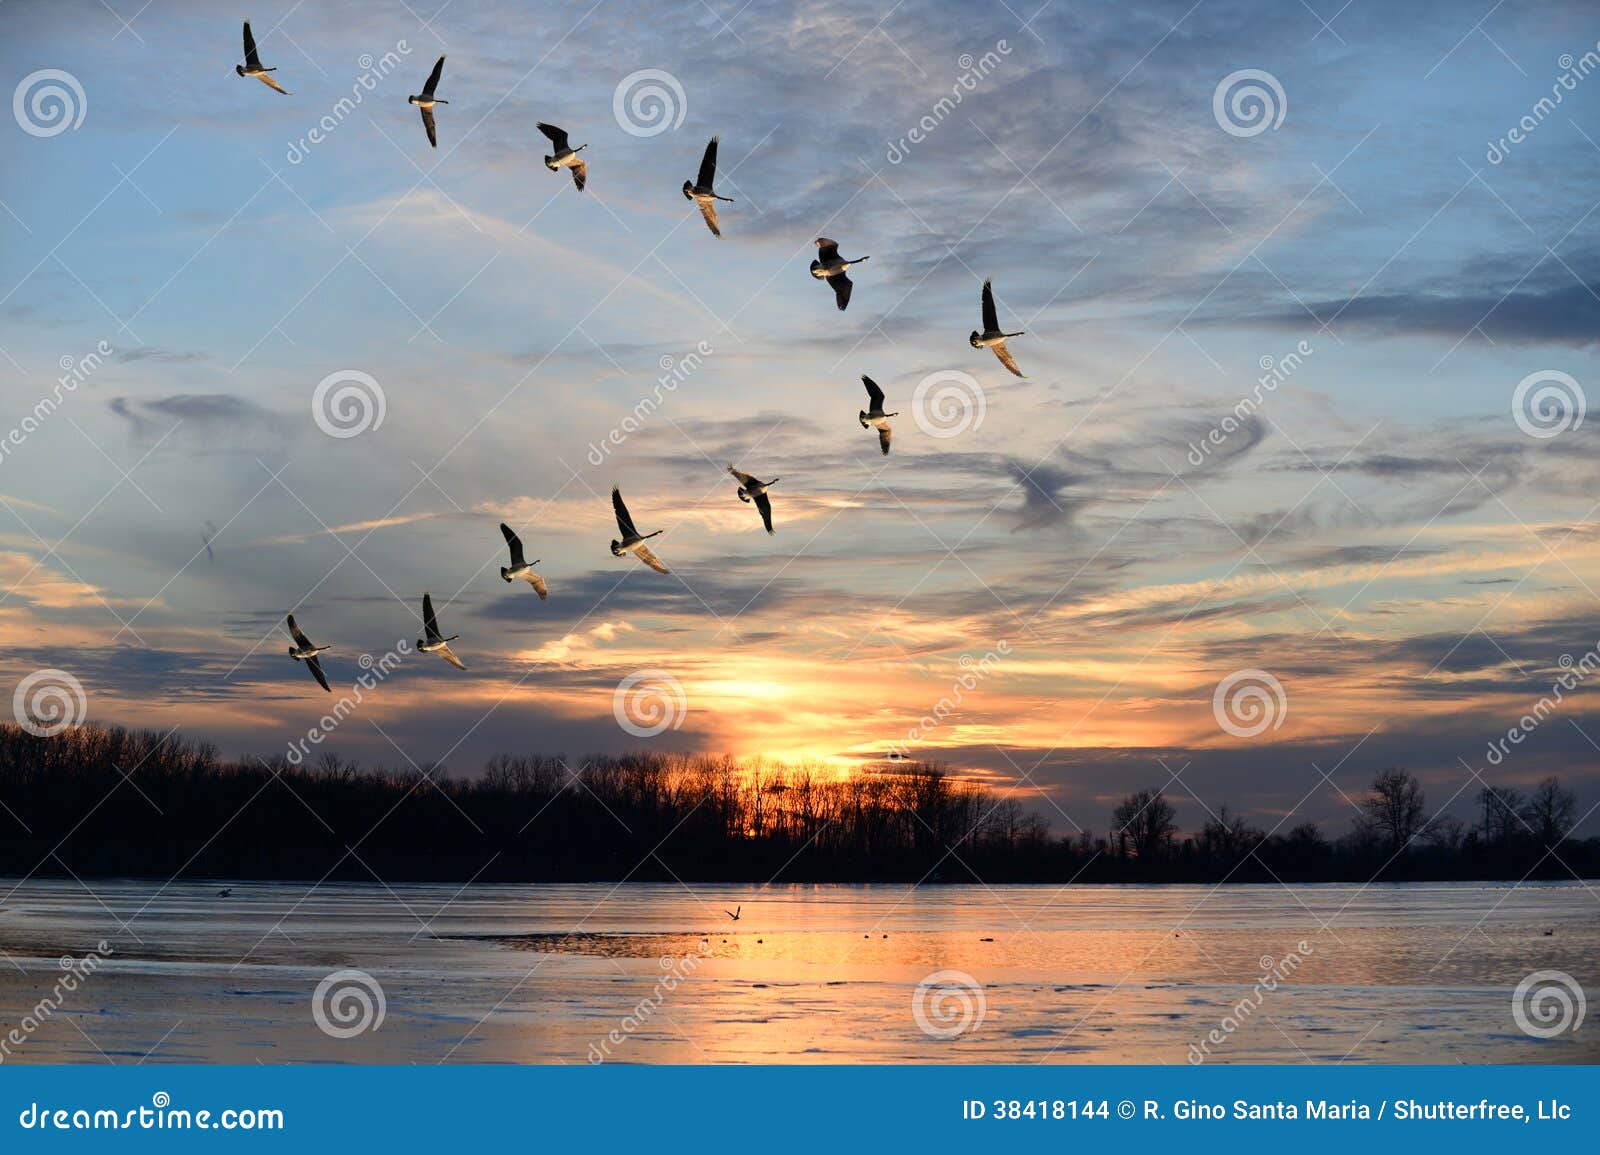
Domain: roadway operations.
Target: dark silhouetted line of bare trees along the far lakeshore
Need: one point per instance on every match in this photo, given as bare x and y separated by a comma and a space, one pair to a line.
111, 802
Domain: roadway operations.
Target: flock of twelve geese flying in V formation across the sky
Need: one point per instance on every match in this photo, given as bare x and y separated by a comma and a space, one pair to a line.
828, 266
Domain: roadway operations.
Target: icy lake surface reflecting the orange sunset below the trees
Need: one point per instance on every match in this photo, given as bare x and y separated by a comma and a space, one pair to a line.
660, 973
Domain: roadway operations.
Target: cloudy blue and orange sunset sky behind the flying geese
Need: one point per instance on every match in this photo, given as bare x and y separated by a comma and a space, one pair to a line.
1380, 535
